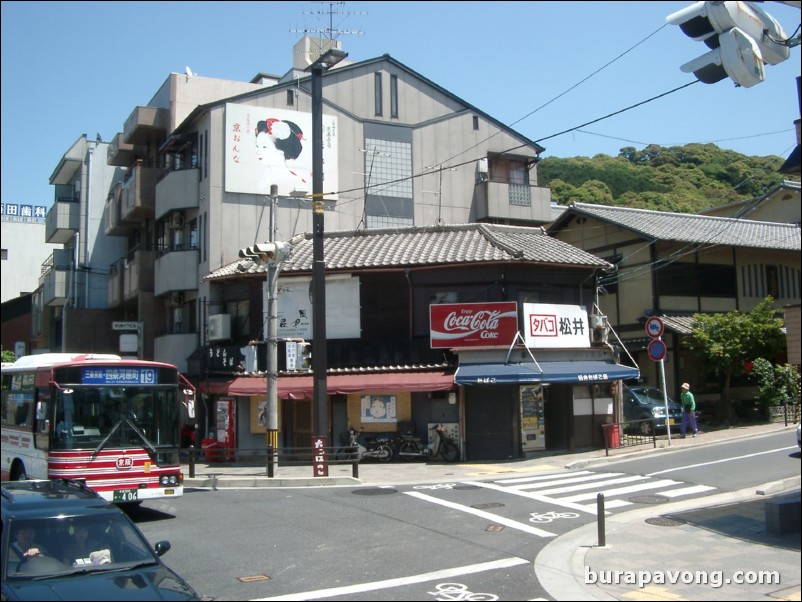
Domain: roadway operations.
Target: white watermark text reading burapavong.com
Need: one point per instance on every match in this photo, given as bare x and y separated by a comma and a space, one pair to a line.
714, 579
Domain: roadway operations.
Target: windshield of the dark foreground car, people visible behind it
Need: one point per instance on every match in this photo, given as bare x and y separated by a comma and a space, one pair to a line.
42, 548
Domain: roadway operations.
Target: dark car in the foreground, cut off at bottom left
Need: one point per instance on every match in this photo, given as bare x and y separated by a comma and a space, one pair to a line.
61, 541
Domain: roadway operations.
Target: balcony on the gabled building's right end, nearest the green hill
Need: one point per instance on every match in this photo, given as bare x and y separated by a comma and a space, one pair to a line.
503, 202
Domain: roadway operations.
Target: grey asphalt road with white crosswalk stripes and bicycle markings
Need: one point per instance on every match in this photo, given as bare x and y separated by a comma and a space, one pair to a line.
451, 540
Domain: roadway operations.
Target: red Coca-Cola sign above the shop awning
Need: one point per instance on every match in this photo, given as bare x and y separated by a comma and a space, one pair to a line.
473, 324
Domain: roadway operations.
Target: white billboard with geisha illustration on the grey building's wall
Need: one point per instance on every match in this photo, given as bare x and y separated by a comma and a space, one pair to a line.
266, 146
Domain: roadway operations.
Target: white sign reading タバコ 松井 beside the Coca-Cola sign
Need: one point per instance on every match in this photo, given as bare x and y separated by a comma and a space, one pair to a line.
549, 326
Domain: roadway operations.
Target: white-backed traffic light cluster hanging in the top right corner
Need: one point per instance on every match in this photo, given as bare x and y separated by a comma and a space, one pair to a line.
742, 36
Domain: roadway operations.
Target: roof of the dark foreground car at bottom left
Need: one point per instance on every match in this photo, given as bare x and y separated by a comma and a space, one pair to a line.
36, 499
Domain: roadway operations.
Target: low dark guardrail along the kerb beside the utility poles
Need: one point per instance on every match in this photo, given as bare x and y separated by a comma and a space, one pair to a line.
270, 457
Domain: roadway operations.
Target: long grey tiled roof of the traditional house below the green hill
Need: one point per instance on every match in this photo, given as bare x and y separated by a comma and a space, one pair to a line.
691, 228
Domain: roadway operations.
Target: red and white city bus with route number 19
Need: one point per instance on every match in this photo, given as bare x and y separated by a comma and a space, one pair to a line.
111, 422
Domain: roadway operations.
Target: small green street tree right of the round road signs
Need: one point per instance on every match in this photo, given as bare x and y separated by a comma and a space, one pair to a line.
725, 341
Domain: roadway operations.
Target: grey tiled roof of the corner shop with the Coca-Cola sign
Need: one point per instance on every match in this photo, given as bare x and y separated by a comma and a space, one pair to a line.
424, 246
